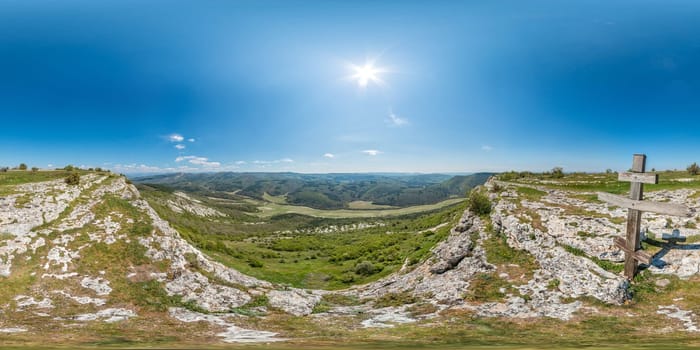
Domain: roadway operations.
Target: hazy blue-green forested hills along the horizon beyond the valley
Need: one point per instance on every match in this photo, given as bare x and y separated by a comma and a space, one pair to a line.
325, 191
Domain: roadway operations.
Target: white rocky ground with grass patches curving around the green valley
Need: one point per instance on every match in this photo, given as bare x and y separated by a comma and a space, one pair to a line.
96, 259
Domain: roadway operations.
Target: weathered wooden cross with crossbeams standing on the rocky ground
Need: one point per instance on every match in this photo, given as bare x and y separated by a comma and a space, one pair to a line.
632, 244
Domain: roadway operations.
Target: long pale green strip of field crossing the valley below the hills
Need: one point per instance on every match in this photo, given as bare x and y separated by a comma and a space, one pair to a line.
269, 209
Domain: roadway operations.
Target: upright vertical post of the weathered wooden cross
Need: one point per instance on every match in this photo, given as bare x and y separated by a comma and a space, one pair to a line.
634, 218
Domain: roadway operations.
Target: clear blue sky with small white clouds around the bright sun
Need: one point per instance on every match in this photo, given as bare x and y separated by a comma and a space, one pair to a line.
153, 86
